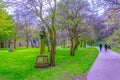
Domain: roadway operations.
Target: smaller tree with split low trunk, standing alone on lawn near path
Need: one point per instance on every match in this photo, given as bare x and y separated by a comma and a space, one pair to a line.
71, 12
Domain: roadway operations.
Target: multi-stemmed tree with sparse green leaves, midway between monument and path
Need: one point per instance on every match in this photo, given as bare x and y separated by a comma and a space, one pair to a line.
72, 15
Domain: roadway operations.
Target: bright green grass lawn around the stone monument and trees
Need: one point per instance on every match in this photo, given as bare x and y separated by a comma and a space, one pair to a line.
19, 65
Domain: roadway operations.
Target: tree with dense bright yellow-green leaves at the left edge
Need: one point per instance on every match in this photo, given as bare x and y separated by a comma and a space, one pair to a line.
6, 26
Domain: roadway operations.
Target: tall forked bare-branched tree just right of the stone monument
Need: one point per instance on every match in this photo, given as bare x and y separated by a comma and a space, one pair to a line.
40, 12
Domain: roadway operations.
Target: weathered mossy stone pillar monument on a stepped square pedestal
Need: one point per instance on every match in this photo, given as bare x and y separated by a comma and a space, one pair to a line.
42, 58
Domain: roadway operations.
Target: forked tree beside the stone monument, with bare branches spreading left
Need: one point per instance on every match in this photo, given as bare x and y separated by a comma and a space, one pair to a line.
43, 10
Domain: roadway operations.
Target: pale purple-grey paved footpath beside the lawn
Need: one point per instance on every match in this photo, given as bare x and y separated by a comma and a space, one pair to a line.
106, 67
